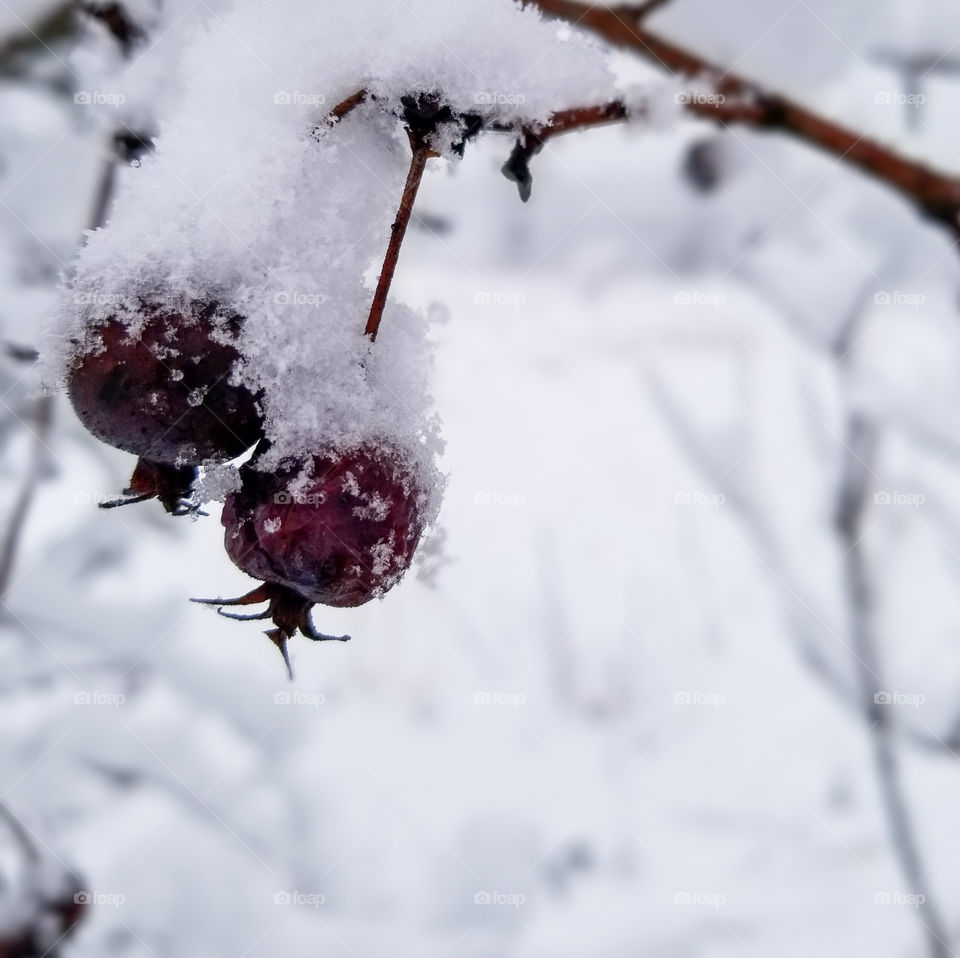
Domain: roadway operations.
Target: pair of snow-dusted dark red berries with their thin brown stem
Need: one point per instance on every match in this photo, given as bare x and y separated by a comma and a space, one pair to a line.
164, 377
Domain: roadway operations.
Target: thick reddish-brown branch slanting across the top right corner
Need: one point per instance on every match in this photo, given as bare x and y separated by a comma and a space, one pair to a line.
739, 100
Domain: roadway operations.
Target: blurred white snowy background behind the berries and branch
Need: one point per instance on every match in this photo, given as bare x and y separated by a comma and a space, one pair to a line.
701, 401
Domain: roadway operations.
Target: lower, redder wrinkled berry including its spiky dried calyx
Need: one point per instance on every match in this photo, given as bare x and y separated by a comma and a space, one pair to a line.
338, 530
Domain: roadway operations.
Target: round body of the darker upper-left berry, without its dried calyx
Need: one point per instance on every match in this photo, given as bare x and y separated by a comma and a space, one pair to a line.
163, 391
